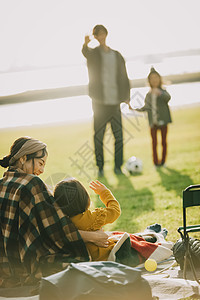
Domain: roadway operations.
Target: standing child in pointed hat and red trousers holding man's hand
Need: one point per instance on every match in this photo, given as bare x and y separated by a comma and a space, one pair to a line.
156, 105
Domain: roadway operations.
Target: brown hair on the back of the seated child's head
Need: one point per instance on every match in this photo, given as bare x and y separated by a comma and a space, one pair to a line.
71, 197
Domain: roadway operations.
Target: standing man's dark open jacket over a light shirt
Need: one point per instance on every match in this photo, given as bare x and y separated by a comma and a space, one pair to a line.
94, 63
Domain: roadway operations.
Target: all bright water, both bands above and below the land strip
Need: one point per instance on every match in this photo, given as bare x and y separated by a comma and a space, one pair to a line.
76, 109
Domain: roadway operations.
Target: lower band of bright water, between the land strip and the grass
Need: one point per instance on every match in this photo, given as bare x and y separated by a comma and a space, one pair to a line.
80, 108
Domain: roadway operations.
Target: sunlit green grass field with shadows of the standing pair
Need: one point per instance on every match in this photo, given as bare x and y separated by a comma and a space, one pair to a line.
155, 196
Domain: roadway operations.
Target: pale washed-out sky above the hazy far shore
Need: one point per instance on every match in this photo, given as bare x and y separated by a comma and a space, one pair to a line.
51, 32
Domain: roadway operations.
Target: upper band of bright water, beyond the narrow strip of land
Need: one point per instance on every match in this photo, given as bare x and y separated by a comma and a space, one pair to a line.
17, 82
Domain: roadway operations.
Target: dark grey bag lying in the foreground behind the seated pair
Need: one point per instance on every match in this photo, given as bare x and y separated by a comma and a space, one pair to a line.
96, 280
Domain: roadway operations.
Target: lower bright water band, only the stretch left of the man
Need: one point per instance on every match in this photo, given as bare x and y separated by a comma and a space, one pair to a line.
46, 112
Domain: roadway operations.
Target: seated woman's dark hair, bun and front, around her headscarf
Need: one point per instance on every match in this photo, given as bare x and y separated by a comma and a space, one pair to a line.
15, 148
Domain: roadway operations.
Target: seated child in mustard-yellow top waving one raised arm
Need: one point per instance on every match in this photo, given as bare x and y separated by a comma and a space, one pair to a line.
128, 249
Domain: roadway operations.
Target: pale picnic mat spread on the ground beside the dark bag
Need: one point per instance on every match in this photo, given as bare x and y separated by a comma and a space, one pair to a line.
166, 283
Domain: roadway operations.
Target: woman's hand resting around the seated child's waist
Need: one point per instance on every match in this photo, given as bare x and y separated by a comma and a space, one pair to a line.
99, 237
